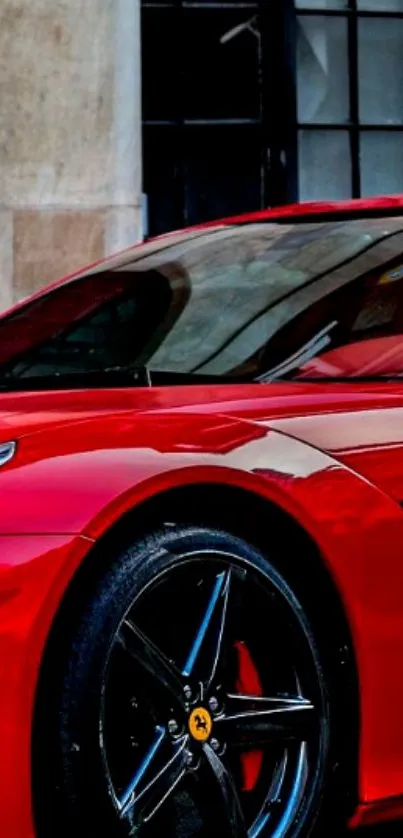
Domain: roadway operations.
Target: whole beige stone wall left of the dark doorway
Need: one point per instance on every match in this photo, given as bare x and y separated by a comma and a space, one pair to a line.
70, 137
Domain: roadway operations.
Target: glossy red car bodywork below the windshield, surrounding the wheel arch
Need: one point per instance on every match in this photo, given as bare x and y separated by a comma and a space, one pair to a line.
330, 455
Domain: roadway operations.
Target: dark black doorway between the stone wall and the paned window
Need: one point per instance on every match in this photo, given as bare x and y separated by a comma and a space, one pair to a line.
218, 109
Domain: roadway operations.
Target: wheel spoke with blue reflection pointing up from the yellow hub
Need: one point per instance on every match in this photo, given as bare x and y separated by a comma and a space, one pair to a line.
210, 634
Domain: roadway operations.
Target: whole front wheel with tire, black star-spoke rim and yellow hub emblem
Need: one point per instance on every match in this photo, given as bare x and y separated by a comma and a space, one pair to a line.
182, 694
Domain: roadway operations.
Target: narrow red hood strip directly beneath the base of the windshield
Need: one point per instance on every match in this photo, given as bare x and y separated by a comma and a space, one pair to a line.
24, 413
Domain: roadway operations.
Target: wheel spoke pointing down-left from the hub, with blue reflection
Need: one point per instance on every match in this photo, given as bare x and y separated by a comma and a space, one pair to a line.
150, 789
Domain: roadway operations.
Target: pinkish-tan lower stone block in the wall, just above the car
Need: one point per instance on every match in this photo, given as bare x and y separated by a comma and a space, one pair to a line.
48, 245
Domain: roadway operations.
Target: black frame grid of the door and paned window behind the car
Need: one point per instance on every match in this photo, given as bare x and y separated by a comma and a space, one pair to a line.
278, 126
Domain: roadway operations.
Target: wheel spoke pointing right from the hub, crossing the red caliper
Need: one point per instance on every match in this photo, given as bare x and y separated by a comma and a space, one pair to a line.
254, 720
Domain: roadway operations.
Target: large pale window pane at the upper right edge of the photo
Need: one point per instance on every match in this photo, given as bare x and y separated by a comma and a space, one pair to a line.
380, 70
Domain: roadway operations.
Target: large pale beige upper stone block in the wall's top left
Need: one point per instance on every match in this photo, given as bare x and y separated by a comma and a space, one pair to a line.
56, 101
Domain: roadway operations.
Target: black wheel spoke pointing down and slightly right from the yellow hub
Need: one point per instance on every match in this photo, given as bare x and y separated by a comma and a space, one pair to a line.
223, 790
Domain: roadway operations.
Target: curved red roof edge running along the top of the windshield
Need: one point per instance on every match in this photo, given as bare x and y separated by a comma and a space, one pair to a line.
355, 208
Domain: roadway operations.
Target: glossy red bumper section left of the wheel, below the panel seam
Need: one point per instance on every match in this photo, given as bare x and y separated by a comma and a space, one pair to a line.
32, 577
